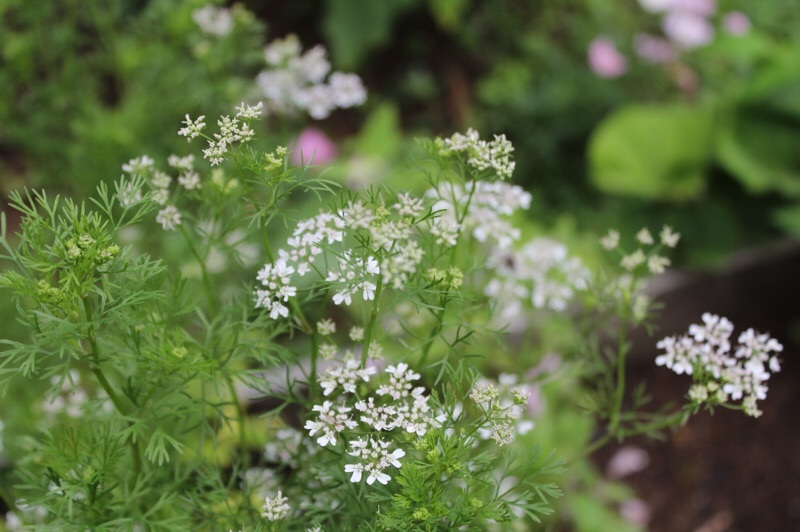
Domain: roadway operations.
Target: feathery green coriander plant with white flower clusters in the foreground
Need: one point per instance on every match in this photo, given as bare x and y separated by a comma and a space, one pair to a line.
275, 353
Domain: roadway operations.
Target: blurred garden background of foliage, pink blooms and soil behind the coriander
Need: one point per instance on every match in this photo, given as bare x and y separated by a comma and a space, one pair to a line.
623, 114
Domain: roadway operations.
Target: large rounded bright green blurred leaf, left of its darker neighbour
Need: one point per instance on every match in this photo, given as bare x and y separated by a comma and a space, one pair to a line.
652, 151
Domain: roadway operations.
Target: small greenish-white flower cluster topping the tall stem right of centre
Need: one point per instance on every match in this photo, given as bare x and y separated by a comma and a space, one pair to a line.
494, 155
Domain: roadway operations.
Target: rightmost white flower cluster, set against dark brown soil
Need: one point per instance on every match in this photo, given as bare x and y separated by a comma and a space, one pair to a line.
720, 372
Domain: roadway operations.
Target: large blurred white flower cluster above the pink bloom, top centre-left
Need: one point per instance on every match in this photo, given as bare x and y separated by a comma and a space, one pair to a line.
296, 81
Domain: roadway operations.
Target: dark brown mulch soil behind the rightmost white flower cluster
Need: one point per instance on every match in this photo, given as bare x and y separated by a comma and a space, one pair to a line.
727, 471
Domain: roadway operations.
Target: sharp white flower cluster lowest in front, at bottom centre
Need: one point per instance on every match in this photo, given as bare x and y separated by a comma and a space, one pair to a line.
397, 404
